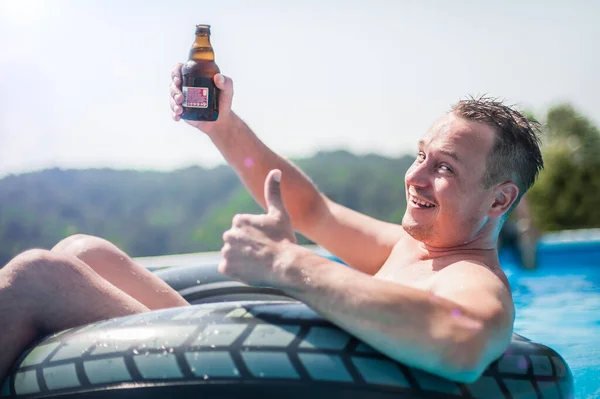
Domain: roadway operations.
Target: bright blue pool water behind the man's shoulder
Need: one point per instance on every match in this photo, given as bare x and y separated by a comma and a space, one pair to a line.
558, 305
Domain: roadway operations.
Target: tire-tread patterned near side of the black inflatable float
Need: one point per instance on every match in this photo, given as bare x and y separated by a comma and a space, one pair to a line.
256, 342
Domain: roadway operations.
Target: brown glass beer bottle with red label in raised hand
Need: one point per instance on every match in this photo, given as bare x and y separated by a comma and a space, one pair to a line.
200, 96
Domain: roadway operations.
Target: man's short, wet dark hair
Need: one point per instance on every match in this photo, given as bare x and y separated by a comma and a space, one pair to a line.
515, 155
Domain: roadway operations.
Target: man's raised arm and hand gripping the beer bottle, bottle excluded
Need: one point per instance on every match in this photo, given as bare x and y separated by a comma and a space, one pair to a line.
361, 241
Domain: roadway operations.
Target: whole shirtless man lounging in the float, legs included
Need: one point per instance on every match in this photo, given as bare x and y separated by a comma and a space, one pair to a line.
429, 293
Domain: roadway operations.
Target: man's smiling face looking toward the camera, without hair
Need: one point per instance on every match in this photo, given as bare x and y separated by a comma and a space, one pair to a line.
447, 203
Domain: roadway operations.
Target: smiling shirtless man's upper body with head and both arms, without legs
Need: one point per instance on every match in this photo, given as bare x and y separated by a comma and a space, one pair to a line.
430, 292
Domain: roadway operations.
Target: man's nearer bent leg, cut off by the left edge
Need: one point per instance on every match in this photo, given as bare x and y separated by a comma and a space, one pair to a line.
42, 292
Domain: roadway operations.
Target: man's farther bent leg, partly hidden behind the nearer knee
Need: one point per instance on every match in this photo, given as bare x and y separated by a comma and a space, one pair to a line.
119, 269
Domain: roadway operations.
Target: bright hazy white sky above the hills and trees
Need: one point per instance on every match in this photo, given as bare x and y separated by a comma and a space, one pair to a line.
85, 84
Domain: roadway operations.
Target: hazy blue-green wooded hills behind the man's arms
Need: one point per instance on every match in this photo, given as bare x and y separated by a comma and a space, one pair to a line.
153, 213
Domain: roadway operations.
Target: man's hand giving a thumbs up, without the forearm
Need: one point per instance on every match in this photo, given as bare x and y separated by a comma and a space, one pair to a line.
258, 248
